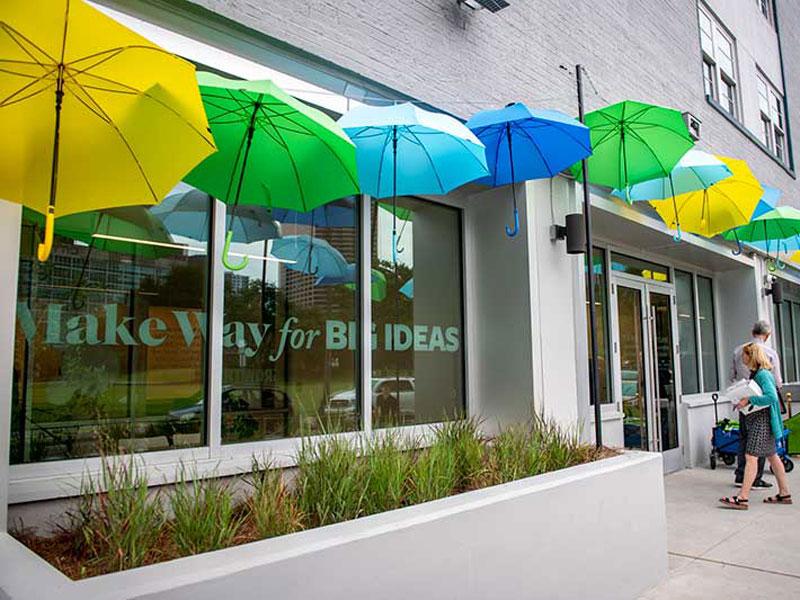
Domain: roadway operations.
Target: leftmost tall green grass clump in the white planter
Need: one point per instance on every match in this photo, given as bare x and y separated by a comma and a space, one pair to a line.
117, 520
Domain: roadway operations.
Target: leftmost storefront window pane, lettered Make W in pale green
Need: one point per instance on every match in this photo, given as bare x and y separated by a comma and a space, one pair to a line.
110, 352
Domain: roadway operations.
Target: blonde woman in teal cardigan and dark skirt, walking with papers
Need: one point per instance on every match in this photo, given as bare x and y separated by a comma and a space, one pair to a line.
764, 428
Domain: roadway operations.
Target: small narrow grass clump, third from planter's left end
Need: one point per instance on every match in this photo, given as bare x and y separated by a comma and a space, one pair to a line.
272, 508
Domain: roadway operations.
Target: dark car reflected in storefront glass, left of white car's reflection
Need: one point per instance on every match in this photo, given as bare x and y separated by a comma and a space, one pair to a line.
246, 403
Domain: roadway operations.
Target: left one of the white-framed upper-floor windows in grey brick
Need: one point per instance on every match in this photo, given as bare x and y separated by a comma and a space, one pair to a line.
719, 62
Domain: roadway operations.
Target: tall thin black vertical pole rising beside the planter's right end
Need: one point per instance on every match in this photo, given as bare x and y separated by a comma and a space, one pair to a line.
594, 381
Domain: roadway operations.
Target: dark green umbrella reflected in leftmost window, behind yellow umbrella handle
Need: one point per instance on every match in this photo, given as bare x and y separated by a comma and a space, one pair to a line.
130, 230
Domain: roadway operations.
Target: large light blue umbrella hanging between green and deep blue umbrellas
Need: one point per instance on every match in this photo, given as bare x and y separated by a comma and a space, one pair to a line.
405, 150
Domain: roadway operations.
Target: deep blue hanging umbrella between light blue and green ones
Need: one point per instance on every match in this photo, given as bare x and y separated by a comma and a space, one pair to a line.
523, 144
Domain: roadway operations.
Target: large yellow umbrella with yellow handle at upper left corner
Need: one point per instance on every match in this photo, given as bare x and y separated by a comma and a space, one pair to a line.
93, 115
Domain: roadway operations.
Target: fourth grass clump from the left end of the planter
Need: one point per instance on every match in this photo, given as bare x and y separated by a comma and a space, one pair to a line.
330, 480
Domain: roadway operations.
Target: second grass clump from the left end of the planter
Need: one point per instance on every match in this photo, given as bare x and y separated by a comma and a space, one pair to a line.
204, 514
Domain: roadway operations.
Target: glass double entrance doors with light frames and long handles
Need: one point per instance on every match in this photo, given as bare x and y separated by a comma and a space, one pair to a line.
646, 359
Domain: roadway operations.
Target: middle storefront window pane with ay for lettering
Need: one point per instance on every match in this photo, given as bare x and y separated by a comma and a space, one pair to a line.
290, 334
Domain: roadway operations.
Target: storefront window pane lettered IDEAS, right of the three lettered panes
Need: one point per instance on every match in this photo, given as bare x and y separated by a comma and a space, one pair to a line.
417, 358
